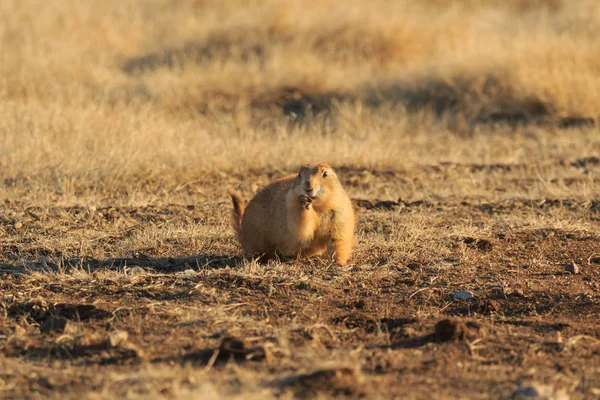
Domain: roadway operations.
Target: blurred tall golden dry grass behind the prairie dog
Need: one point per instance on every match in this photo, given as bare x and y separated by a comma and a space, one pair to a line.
121, 93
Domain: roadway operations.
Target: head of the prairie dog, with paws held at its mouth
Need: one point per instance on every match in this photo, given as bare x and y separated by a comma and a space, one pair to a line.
317, 181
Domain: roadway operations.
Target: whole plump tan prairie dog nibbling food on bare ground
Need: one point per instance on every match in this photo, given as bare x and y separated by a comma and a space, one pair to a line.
285, 218
